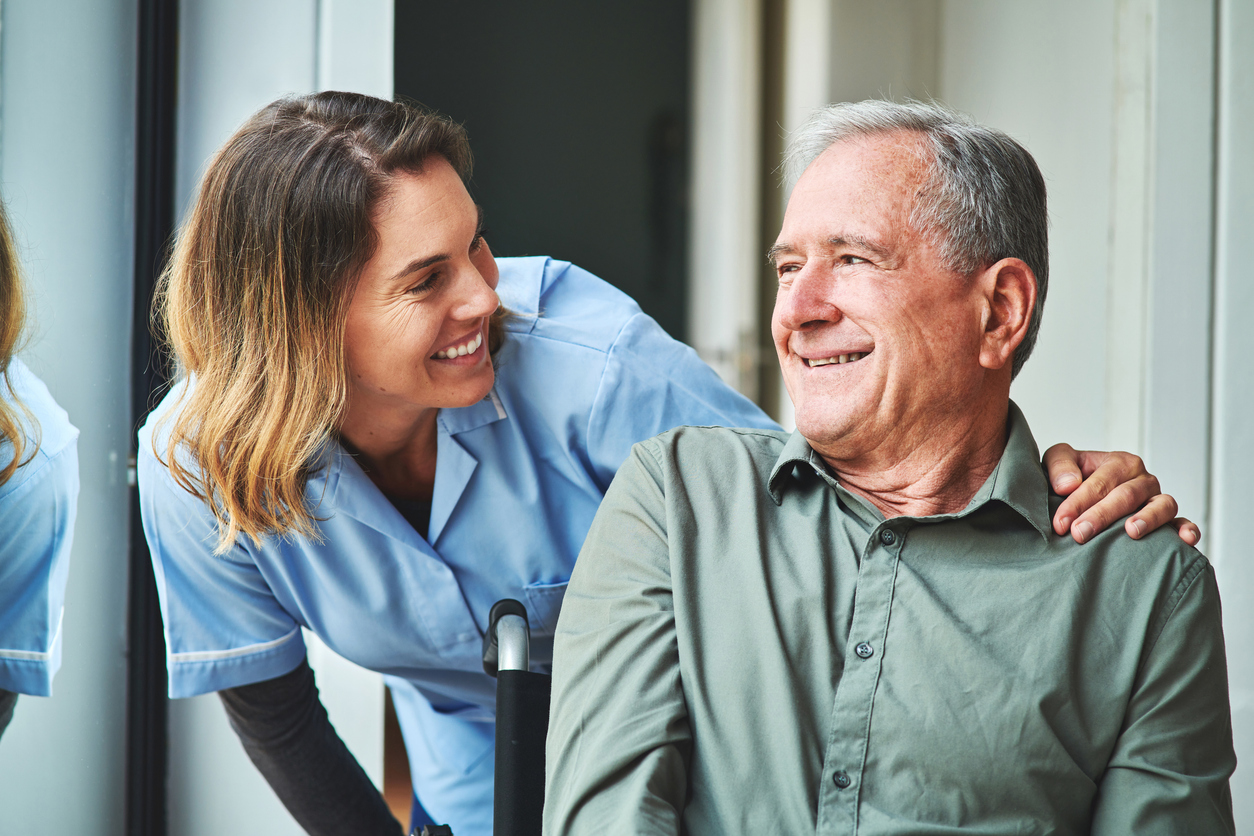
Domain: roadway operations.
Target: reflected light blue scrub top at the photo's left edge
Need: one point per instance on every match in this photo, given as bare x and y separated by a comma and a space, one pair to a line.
37, 527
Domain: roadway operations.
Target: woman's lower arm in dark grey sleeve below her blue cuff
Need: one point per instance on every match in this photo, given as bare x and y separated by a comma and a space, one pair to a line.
288, 735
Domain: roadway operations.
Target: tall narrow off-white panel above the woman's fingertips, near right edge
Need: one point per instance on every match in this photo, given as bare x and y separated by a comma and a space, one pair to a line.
1178, 383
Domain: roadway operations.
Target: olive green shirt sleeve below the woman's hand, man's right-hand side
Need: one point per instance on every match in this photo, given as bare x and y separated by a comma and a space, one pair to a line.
1171, 768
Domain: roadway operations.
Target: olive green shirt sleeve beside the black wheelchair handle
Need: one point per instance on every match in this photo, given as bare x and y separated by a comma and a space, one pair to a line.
620, 739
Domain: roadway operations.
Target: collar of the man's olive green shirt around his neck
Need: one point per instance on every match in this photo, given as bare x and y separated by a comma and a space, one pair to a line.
1019, 479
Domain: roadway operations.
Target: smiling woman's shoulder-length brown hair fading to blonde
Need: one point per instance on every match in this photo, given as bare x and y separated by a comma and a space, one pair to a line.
256, 295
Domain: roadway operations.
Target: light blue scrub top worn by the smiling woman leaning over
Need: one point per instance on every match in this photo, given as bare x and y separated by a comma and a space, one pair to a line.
582, 377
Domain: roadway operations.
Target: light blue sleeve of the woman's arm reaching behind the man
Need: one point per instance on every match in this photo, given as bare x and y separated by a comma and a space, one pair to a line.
653, 384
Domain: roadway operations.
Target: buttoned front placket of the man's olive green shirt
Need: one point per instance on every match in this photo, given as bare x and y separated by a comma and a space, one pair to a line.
846, 755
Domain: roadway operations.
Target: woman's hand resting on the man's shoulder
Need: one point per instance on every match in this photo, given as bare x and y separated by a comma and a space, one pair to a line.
1100, 488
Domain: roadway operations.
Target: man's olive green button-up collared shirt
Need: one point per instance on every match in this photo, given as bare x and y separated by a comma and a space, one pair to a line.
747, 647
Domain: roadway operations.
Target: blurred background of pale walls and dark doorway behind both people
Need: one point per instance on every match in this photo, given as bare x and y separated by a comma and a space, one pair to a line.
641, 141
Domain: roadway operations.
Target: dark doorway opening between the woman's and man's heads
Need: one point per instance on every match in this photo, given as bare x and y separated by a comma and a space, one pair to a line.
579, 118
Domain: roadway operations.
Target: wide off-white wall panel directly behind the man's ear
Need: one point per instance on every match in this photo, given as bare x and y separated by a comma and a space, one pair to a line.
1045, 75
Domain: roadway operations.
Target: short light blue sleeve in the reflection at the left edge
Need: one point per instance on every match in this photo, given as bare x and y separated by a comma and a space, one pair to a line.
37, 530
